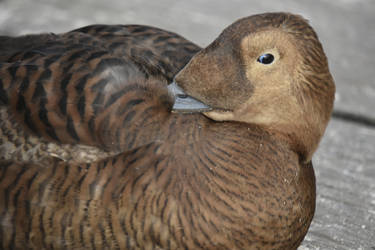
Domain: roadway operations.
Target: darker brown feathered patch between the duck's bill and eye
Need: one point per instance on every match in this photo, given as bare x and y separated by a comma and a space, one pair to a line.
215, 79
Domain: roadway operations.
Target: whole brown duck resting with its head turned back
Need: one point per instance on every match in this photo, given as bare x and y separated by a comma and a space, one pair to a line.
211, 149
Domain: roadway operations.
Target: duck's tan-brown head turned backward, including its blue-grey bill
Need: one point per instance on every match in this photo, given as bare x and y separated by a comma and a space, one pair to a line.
269, 70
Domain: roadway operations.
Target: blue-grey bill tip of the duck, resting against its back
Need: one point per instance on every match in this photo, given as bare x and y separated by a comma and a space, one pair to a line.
184, 103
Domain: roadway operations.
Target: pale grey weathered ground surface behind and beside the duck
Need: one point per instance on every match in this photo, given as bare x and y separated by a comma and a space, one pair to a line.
345, 161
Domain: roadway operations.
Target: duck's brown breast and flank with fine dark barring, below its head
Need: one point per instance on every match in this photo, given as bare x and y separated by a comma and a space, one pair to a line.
203, 186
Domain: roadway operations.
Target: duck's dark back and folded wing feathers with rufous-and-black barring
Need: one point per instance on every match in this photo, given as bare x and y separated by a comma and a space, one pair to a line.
54, 87
